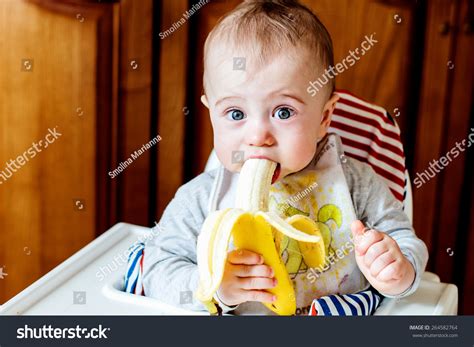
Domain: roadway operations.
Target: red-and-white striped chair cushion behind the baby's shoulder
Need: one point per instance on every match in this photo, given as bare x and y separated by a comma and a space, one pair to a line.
371, 135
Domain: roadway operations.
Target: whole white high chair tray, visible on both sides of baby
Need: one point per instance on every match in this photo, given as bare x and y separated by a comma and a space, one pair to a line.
53, 293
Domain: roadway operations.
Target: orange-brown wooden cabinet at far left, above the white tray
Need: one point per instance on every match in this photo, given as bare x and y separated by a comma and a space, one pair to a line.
84, 69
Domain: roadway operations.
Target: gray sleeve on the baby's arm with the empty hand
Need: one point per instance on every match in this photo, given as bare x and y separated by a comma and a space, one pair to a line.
376, 207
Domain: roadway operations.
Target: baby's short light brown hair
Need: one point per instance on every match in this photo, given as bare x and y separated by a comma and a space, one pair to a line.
271, 26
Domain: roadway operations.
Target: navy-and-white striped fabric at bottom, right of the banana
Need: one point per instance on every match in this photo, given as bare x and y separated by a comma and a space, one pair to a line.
363, 303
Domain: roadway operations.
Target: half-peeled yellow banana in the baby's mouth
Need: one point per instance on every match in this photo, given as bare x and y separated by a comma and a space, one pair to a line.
254, 228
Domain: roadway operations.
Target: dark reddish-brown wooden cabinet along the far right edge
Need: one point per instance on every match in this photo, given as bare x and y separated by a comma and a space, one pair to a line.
445, 126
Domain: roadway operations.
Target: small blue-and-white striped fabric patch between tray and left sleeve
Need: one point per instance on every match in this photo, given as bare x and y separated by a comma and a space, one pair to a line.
134, 271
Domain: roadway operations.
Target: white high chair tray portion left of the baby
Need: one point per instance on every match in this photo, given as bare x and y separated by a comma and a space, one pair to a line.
53, 293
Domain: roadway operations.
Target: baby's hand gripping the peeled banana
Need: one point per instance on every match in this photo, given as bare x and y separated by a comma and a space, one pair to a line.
245, 278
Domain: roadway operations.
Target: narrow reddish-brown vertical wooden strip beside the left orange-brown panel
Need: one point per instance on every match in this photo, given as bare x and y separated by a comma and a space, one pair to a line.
135, 109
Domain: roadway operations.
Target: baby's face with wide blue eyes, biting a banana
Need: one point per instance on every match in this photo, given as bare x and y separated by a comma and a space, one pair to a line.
266, 113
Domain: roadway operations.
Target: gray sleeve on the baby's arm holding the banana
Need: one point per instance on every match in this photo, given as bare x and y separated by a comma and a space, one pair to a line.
170, 272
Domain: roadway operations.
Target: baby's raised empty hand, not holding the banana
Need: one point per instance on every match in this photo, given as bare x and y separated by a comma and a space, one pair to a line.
381, 260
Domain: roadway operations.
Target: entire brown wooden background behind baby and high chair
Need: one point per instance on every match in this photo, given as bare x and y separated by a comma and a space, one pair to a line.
103, 75
